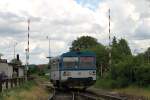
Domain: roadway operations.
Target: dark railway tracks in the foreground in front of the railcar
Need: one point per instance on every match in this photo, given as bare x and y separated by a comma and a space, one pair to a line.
72, 94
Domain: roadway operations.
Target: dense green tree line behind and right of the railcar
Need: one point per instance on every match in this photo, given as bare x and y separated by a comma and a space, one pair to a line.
126, 69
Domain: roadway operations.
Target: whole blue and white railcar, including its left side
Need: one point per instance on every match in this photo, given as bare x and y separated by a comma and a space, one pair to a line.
74, 69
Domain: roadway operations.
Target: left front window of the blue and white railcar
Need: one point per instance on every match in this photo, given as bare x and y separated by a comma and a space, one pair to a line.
70, 62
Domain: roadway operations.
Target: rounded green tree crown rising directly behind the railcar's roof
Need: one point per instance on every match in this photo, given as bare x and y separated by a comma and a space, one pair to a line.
83, 42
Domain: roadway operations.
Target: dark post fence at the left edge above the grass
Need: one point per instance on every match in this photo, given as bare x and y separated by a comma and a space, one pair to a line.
10, 83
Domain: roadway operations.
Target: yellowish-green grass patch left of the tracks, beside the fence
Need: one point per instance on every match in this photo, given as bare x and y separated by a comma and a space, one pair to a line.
28, 91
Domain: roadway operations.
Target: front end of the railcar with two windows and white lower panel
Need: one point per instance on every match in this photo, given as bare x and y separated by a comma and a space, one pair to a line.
78, 69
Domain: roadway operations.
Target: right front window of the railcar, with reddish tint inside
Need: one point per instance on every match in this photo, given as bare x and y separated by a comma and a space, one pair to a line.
86, 62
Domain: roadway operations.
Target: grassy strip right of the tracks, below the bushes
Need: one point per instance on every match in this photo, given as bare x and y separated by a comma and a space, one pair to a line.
108, 84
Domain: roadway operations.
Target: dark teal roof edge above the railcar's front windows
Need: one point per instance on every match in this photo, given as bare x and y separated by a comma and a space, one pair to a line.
77, 53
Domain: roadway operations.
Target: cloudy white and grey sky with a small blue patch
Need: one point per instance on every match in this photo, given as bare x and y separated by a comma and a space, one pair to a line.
65, 20
